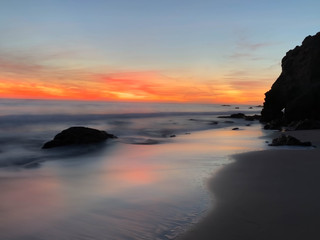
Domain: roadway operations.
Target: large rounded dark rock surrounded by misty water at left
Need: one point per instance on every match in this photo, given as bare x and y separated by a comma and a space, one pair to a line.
78, 135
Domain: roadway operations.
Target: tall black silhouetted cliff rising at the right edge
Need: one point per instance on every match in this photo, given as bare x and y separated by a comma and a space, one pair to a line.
298, 87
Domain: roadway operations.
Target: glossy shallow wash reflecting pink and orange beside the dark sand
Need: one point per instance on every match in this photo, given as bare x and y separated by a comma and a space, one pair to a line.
136, 191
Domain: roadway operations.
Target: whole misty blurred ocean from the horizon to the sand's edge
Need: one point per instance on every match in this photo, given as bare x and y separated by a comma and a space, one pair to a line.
149, 183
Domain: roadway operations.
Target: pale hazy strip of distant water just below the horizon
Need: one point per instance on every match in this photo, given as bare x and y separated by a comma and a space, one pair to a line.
47, 107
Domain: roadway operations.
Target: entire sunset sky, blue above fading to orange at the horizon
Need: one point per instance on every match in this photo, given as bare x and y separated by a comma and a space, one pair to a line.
206, 51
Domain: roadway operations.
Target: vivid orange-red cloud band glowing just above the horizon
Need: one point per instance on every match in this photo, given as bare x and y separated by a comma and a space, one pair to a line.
136, 86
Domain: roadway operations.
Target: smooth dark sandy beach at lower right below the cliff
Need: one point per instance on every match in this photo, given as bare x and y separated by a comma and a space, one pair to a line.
269, 194
